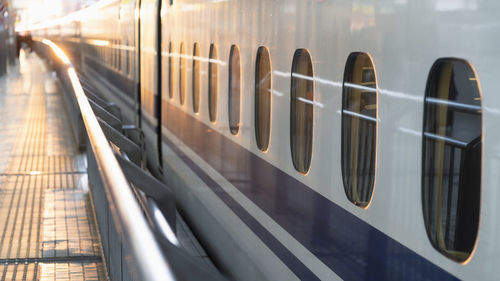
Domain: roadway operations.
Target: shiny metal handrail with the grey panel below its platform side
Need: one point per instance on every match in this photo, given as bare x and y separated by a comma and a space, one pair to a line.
137, 254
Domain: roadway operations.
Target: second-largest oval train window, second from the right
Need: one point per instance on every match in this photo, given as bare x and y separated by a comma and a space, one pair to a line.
359, 128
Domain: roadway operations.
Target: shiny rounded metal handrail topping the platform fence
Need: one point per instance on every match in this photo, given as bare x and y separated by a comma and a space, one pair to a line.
145, 250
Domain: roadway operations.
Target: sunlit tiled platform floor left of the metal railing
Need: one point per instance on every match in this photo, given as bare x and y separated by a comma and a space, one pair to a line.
47, 230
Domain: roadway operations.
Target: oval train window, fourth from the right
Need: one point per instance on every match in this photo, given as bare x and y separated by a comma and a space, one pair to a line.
263, 98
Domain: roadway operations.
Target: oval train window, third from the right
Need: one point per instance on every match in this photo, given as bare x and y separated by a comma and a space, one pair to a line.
301, 110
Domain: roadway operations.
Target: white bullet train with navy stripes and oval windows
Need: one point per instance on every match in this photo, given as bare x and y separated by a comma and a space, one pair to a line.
313, 139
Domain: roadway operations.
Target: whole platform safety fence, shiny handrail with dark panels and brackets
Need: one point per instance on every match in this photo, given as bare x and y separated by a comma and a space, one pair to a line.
135, 212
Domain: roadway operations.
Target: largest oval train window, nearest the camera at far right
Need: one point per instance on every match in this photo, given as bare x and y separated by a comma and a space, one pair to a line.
451, 158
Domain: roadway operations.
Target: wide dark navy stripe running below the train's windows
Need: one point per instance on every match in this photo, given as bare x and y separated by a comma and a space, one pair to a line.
353, 249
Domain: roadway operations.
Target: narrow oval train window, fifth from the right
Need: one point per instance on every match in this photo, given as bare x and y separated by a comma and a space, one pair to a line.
234, 89
